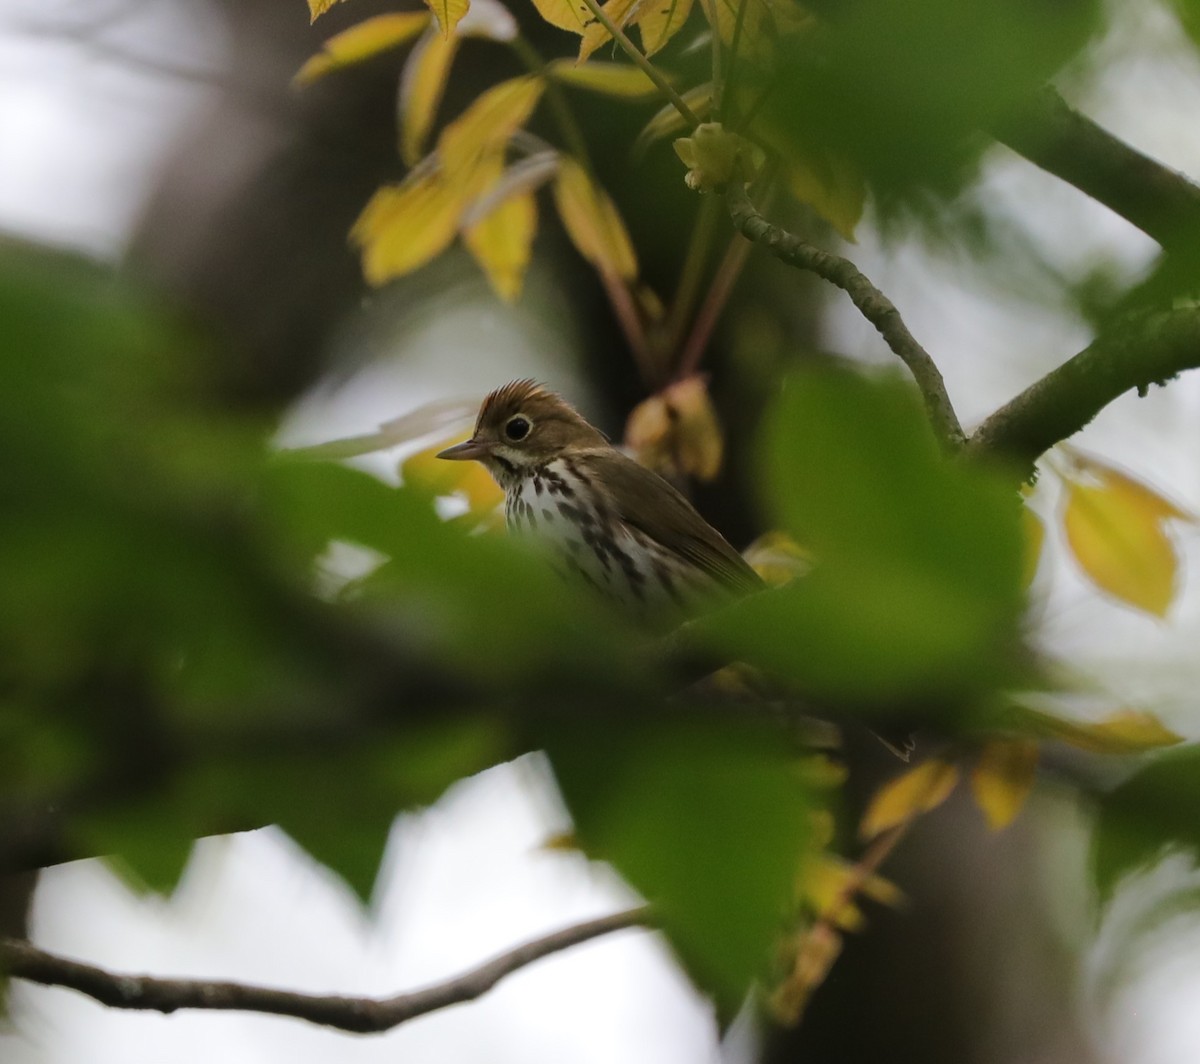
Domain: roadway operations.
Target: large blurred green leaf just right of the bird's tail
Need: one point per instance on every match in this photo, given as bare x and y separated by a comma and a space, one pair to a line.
917, 581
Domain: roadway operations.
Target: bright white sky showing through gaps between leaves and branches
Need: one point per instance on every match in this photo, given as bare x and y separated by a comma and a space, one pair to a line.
81, 139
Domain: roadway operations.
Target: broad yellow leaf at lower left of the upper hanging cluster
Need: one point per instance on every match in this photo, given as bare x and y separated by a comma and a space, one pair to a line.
405, 226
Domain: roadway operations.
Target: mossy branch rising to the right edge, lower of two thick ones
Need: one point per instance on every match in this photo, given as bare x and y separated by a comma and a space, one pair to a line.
1150, 350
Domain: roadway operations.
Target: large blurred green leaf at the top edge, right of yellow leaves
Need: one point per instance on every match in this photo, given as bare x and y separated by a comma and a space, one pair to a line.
907, 91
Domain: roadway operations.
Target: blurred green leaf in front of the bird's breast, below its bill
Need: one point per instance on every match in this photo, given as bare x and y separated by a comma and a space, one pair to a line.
489, 606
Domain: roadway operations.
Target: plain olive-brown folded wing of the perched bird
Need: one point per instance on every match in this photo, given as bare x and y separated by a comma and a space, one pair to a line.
646, 502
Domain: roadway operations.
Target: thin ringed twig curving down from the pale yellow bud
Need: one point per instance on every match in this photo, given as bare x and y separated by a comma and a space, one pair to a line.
873, 304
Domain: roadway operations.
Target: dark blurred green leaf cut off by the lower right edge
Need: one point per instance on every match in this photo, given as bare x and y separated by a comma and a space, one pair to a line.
1154, 813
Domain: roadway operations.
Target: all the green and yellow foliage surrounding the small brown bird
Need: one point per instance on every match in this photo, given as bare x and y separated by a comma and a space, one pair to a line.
179, 659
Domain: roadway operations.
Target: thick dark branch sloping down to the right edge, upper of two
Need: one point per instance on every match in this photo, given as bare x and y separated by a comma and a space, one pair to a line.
1161, 202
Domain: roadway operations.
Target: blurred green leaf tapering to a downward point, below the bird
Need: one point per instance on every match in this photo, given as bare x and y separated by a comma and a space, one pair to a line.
707, 820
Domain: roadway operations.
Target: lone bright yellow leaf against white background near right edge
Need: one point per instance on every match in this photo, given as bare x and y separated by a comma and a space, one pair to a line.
1117, 533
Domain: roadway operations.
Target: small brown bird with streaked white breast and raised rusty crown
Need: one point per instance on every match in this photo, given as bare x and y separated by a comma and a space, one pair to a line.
620, 527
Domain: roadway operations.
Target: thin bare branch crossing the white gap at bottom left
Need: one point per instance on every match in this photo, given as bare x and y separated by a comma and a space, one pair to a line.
22, 960
